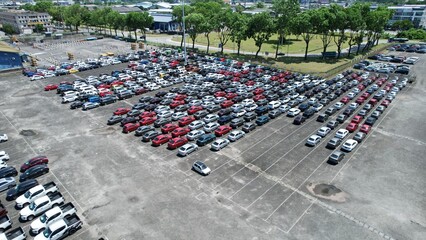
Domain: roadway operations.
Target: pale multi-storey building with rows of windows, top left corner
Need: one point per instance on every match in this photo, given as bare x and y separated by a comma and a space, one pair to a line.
23, 20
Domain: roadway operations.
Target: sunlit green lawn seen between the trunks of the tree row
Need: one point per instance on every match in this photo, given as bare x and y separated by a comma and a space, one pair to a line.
293, 45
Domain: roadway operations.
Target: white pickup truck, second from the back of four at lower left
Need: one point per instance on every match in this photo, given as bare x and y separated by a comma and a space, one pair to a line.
40, 205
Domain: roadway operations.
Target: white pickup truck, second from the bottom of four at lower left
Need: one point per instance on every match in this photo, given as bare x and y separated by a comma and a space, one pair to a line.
50, 217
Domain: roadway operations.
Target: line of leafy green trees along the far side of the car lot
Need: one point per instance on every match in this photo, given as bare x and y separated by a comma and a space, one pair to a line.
353, 25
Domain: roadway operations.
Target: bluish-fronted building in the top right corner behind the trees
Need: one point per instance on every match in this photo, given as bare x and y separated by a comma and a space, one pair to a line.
414, 13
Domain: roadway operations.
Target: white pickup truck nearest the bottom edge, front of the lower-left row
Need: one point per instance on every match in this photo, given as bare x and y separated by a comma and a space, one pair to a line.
61, 228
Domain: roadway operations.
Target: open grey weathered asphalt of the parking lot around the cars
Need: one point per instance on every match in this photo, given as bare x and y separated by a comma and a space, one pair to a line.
268, 185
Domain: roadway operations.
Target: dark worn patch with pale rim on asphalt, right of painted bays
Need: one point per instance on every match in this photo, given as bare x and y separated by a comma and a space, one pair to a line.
327, 191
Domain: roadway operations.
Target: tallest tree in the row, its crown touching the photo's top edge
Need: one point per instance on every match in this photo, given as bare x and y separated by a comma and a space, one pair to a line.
285, 10
